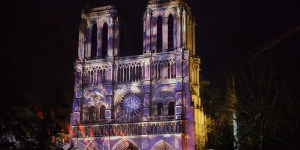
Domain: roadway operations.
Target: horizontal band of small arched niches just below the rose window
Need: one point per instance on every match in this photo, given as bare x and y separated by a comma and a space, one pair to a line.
128, 129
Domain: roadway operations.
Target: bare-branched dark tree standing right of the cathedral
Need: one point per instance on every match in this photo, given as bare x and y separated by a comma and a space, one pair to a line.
260, 95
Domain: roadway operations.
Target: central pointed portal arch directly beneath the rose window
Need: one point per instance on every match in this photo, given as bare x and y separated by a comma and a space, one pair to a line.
125, 144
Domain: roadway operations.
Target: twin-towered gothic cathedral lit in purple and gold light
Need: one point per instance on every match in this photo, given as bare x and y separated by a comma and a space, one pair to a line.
148, 101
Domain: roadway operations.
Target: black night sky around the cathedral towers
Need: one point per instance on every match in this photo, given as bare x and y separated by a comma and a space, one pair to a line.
39, 40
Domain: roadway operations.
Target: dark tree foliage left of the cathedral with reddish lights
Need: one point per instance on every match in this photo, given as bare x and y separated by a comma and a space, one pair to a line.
29, 127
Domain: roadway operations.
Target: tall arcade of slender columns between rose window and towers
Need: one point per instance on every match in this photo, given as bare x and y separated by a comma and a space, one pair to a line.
158, 66
